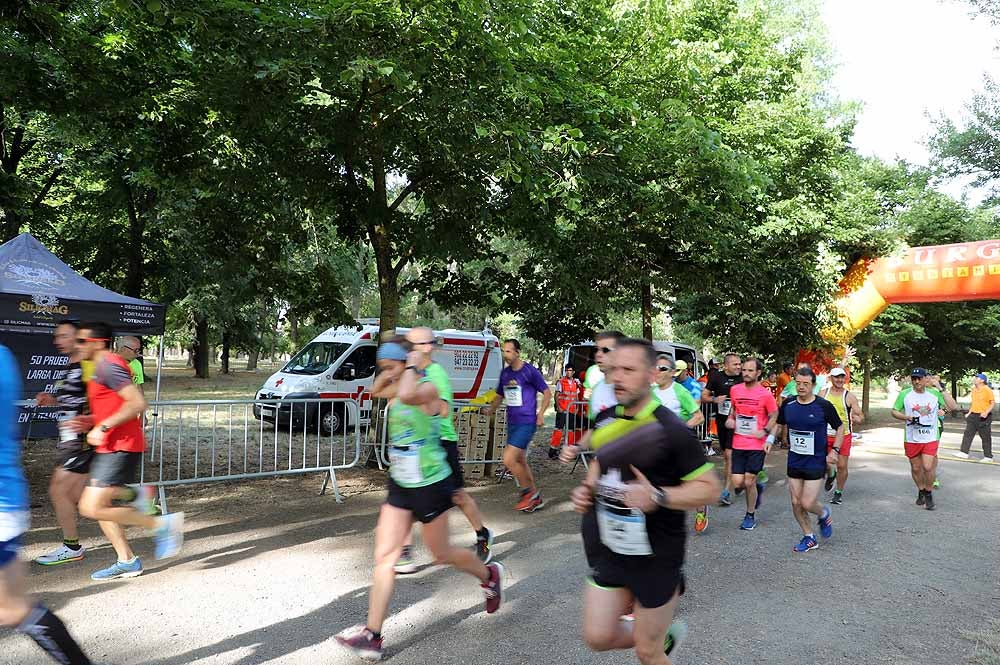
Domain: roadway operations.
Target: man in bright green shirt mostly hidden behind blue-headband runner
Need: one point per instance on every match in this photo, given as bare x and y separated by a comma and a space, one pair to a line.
421, 340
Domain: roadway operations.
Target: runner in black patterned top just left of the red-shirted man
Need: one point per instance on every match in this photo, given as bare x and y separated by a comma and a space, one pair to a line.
72, 455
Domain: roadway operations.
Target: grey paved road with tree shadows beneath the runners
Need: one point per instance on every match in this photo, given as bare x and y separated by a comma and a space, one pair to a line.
269, 579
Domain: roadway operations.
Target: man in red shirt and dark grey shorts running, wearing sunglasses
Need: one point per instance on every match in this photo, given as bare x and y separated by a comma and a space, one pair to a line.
116, 435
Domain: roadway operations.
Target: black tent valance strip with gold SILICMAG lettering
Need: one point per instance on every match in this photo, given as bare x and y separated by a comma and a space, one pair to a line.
41, 313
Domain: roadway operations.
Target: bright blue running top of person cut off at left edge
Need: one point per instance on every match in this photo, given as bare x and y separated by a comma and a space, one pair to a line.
13, 488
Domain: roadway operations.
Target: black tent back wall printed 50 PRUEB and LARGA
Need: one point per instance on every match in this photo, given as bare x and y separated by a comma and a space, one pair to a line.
41, 367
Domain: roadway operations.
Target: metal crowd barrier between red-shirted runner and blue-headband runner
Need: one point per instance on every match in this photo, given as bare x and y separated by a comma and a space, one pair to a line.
218, 440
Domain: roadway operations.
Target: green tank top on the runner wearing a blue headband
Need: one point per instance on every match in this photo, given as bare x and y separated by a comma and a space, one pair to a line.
416, 458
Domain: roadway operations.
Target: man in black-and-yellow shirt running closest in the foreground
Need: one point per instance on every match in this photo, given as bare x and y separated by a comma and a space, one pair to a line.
648, 470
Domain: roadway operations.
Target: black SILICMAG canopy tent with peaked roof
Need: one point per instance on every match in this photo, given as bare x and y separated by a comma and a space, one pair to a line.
37, 290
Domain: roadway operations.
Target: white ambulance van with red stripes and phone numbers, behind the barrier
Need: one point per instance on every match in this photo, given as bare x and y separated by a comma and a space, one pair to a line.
340, 363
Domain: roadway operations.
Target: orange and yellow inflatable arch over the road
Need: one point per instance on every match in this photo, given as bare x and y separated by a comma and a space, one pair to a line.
940, 273
